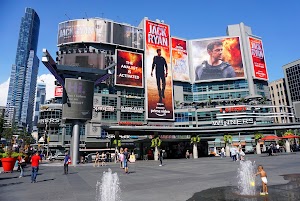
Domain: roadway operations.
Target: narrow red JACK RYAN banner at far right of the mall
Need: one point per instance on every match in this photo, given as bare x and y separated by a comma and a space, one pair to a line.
258, 59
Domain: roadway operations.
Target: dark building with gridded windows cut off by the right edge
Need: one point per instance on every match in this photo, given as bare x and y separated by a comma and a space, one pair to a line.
291, 75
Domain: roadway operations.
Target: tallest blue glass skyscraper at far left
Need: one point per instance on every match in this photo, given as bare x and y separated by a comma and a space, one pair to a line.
21, 92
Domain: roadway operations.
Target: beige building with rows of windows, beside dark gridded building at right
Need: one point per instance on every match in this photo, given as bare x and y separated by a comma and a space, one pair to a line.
280, 101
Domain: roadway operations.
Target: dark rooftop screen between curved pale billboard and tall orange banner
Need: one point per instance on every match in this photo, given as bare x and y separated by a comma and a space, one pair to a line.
128, 36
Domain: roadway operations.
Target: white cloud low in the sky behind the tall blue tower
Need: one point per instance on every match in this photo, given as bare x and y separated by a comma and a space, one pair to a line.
47, 78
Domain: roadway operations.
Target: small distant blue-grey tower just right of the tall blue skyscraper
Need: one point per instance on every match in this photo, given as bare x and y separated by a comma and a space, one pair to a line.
39, 100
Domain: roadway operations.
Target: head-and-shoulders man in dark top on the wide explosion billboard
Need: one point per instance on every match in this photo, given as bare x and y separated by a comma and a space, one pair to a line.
214, 68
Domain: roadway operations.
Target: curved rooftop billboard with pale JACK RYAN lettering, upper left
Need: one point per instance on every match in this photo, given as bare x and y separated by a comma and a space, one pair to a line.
84, 30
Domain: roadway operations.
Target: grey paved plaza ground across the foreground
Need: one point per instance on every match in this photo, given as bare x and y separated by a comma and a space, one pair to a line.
177, 180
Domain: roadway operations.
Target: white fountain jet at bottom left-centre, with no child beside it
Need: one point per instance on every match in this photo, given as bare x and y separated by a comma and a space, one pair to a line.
109, 188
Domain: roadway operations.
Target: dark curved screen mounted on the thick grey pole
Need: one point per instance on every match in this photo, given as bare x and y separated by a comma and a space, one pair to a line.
78, 99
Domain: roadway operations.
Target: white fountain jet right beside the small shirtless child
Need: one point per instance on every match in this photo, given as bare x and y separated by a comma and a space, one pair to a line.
246, 178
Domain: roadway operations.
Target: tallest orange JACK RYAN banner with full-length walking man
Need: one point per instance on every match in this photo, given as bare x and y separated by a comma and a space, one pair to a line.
158, 72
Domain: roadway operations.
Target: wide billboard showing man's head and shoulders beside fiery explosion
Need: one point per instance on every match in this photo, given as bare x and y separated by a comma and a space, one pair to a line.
216, 59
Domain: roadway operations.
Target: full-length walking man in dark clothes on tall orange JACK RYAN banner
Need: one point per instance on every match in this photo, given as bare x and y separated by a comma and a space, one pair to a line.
161, 71
